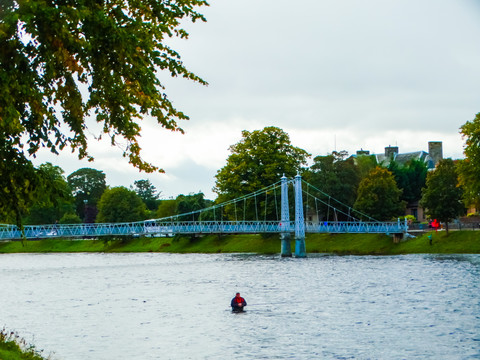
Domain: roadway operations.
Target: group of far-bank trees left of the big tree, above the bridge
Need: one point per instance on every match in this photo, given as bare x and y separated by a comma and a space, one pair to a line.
84, 196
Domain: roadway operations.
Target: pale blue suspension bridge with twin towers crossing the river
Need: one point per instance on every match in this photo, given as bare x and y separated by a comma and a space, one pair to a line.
264, 211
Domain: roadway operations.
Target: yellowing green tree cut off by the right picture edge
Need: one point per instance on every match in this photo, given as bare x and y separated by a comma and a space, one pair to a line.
469, 169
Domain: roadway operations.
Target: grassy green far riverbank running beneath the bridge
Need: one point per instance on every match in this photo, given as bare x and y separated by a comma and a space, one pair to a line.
457, 242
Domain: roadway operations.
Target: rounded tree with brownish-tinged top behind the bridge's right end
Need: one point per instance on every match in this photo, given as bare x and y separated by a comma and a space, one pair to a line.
378, 196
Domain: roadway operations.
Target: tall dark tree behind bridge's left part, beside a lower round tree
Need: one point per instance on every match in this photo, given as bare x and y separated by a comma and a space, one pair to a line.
87, 187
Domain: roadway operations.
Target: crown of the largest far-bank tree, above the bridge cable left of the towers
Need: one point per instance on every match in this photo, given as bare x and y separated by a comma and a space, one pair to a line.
258, 160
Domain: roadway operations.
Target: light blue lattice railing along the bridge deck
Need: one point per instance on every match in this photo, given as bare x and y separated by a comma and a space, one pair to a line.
170, 228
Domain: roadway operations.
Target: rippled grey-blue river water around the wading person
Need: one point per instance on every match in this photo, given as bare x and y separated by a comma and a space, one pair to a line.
172, 306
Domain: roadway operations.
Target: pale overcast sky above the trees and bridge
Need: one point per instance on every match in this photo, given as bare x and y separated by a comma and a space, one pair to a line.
335, 75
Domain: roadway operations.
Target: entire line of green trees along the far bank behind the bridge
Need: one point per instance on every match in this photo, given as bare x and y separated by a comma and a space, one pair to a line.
260, 158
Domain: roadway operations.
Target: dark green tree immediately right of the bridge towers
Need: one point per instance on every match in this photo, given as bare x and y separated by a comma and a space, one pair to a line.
336, 176
